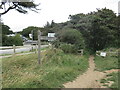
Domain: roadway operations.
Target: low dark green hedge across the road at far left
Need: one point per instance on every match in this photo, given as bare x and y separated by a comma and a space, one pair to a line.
9, 41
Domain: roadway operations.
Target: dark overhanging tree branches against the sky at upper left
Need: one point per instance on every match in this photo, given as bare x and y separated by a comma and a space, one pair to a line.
19, 5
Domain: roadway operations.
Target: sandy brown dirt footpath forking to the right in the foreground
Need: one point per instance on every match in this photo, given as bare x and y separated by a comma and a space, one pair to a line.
90, 79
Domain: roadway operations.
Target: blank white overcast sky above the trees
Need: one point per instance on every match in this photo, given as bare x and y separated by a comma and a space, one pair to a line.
57, 10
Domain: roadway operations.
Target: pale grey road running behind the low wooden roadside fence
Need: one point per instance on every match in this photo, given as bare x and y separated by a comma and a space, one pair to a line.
18, 50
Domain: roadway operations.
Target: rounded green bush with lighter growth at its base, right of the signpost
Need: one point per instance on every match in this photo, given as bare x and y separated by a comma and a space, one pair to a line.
69, 40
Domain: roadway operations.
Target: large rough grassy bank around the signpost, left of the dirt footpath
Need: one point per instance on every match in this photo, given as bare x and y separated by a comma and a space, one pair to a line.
56, 69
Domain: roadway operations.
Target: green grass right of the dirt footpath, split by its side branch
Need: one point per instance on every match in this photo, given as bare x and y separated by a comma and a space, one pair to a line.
107, 63
